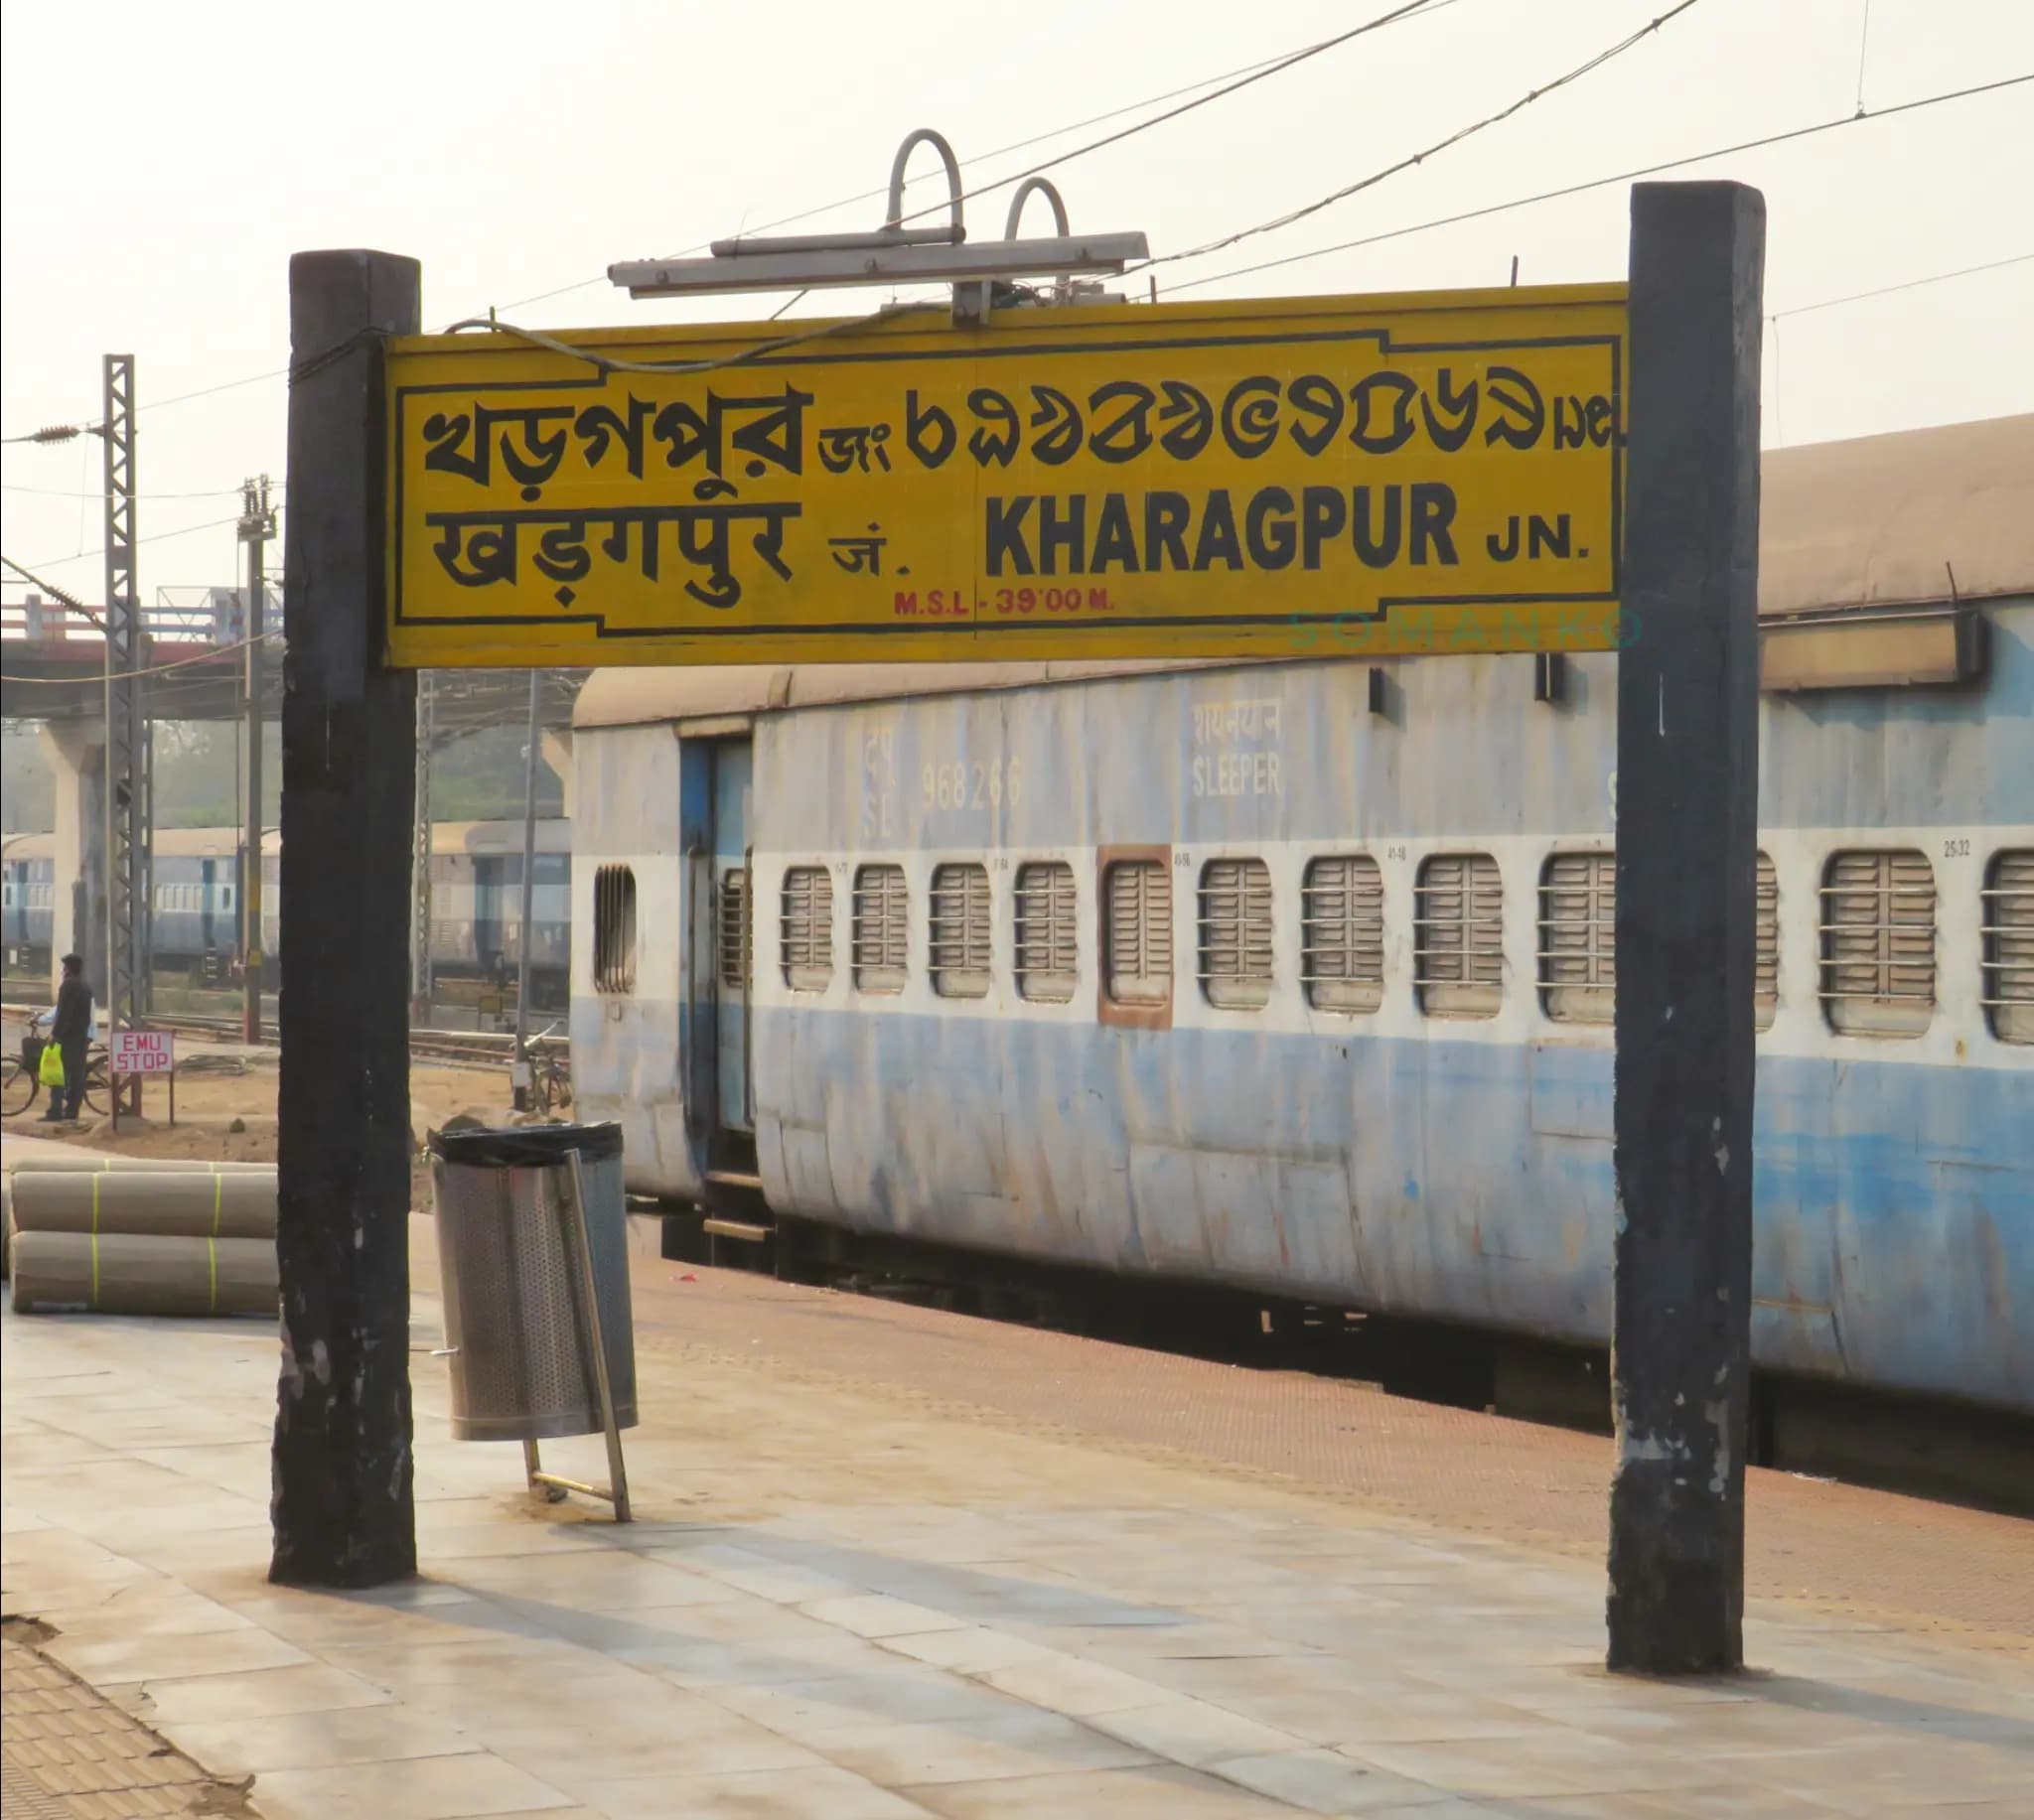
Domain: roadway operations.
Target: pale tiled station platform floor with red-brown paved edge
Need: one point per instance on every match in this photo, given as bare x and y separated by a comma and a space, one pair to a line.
900, 1563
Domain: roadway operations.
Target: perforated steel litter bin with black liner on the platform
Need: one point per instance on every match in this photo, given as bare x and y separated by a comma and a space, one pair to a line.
512, 1280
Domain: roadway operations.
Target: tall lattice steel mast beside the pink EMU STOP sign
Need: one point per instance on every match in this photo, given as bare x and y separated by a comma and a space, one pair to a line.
127, 745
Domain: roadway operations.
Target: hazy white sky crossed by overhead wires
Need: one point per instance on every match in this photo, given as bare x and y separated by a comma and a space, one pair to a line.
160, 166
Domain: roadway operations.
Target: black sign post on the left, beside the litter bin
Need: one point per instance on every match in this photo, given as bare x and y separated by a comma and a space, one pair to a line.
343, 1506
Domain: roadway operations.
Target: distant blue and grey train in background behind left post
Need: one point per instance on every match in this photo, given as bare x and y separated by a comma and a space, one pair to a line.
477, 898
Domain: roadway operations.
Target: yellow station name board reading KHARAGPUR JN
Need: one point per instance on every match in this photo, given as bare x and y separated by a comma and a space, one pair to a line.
1313, 477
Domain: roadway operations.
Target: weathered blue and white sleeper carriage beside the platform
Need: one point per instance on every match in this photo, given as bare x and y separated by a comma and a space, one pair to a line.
1266, 975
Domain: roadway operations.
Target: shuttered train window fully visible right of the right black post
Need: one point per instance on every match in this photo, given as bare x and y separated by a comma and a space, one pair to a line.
1878, 943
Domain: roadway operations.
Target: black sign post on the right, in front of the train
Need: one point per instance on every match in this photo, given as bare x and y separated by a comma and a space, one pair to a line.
1687, 843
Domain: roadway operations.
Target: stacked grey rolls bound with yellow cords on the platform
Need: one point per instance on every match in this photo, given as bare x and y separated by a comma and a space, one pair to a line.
141, 1235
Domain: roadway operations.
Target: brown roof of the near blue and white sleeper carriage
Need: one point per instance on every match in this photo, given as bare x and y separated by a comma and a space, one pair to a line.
1905, 520
